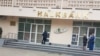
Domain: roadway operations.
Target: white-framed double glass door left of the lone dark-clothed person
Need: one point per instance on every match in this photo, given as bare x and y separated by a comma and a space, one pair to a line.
36, 33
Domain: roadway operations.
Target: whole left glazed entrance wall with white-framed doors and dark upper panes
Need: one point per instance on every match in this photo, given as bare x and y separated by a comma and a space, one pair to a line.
30, 30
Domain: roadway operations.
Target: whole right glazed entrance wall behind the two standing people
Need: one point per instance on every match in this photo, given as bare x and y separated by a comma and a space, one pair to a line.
85, 27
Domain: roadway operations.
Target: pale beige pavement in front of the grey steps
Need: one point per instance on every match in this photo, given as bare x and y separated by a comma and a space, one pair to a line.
4, 51
